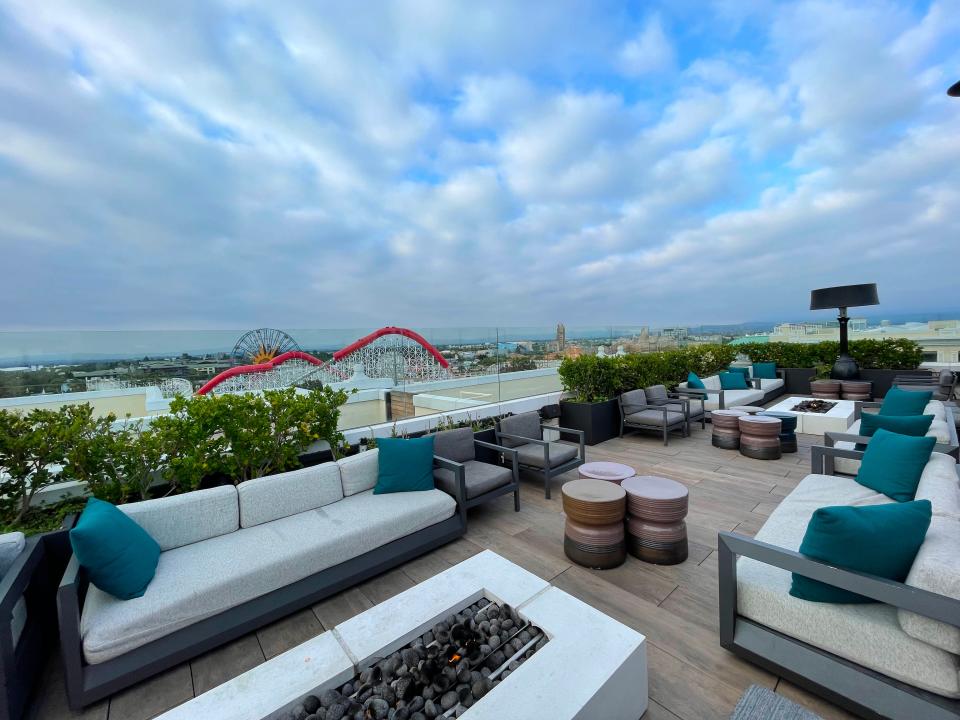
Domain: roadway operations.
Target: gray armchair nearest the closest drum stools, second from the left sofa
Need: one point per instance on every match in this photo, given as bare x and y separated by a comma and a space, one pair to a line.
524, 434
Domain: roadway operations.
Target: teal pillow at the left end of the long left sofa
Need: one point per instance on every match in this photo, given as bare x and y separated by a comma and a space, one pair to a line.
119, 556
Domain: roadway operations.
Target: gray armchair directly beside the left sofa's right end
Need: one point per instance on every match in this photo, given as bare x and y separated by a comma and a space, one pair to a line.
458, 472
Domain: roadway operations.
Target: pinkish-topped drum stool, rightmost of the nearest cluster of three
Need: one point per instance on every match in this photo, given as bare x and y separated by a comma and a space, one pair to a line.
656, 531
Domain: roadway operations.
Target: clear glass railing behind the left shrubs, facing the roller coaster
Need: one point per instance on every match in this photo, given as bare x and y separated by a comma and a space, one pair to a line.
393, 374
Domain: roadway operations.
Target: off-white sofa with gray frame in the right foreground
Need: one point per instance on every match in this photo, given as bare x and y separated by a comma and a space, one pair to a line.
896, 658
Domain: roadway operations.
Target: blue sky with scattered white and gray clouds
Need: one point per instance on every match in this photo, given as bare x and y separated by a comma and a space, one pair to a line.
434, 163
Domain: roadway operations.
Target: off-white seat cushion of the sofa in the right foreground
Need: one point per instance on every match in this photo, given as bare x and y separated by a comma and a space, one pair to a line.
869, 635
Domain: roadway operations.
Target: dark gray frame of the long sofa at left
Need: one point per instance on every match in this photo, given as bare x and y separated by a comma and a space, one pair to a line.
88, 683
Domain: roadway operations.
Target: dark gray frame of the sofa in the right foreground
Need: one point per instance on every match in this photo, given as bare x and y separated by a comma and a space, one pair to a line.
844, 683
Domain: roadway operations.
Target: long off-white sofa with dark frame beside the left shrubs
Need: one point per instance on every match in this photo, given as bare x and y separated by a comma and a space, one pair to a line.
235, 558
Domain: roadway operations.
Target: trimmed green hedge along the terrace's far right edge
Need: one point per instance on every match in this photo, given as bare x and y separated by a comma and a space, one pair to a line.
593, 379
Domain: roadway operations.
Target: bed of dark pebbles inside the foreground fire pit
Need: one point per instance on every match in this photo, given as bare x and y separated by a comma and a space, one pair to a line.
439, 674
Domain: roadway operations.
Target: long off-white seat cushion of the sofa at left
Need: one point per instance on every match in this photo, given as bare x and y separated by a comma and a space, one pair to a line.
198, 581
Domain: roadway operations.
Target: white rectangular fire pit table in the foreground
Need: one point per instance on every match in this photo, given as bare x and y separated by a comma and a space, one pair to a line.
584, 664
